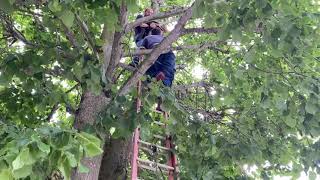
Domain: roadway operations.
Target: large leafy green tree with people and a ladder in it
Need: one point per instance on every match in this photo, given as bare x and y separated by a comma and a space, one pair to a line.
67, 95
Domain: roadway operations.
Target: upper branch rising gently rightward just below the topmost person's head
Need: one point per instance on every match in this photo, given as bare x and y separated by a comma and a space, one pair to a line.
163, 15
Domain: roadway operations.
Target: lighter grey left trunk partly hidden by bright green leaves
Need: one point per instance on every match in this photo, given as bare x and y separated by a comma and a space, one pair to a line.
89, 107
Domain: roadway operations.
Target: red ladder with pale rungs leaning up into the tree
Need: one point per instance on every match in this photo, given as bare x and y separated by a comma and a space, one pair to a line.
138, 163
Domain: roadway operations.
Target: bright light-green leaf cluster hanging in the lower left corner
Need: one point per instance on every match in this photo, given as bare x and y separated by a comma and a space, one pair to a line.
36, 153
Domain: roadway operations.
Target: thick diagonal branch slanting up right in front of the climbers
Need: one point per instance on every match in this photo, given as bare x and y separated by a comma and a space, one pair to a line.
173, 36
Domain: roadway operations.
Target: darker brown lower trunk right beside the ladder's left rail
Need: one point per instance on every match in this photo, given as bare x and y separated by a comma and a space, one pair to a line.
115, 159
